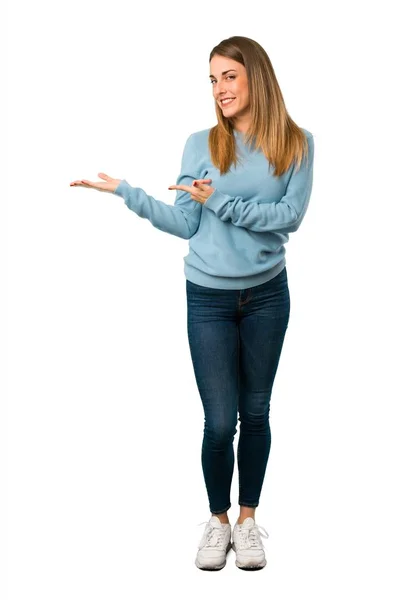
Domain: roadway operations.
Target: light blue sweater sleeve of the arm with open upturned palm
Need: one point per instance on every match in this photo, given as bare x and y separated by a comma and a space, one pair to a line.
182, 219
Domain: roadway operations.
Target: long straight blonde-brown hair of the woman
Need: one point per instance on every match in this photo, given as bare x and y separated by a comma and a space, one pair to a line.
271, 129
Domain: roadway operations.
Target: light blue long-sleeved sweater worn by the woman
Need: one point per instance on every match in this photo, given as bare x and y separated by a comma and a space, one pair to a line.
237, 237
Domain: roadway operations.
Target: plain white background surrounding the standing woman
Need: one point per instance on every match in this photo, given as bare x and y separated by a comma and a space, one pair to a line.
105, 423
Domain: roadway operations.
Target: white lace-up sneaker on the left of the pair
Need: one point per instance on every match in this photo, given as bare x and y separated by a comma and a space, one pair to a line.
214, 545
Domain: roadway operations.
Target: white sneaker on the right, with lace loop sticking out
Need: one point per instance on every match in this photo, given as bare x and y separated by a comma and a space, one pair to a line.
248, 545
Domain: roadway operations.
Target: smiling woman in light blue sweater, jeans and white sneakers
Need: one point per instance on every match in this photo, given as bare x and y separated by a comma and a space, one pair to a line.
260, 164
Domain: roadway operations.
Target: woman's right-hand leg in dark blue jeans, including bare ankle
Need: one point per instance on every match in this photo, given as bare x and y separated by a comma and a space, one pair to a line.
262, 331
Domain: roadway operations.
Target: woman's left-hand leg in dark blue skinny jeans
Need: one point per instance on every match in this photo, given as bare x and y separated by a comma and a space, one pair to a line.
213, 341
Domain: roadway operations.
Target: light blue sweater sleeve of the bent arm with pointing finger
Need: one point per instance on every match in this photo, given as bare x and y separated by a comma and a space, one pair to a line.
284, 216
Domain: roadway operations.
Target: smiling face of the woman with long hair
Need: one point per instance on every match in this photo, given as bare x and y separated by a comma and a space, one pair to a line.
232, 84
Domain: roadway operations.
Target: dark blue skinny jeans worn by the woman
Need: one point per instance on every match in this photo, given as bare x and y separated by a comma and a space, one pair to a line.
235, 340
